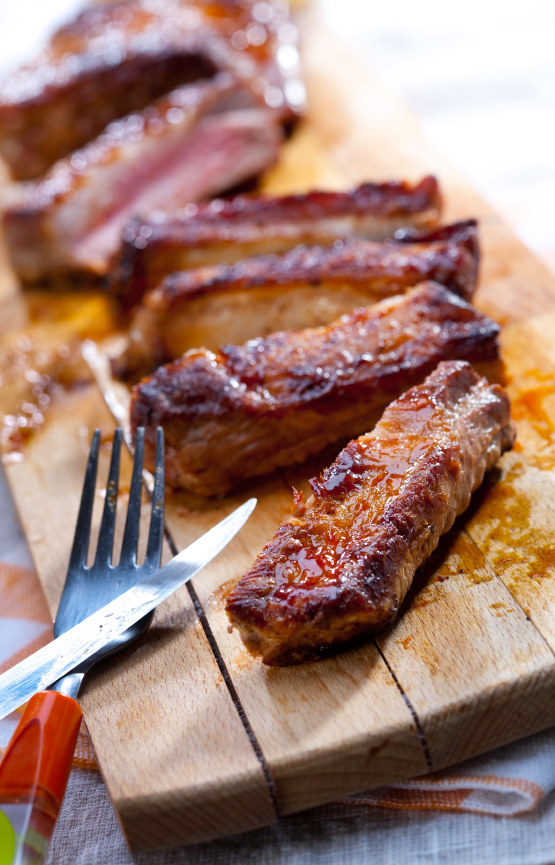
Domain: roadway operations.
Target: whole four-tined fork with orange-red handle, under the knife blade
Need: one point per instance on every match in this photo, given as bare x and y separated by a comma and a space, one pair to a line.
35, 768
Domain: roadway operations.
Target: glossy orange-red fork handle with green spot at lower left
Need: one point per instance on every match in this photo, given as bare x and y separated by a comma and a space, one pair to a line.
33, 776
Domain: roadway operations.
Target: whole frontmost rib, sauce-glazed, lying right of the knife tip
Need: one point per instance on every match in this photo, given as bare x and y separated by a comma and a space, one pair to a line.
340, 567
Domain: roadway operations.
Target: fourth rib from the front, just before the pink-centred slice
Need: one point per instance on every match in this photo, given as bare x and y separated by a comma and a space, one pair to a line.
226, 231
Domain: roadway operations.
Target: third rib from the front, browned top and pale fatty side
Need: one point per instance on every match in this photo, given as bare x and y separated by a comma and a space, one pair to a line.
302, 288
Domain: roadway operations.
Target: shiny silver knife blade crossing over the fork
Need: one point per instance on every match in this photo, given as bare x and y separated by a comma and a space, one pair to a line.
73, 647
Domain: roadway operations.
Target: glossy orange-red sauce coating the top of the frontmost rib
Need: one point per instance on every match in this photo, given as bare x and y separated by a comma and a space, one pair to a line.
351, 495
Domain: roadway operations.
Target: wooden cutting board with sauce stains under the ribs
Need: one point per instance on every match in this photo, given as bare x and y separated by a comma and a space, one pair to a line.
195, 739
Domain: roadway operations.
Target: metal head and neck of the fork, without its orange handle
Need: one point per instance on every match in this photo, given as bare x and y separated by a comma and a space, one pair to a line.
86, 589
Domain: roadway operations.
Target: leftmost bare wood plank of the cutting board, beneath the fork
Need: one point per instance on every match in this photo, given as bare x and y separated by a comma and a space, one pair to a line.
169, 741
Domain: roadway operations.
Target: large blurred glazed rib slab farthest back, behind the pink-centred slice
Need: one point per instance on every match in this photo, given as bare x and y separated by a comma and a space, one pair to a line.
116, 58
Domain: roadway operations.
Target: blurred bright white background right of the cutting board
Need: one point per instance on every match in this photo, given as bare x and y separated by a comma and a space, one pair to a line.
481, 77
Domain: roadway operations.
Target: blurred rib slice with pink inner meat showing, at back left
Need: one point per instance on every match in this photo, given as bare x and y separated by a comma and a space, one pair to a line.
189, 145
